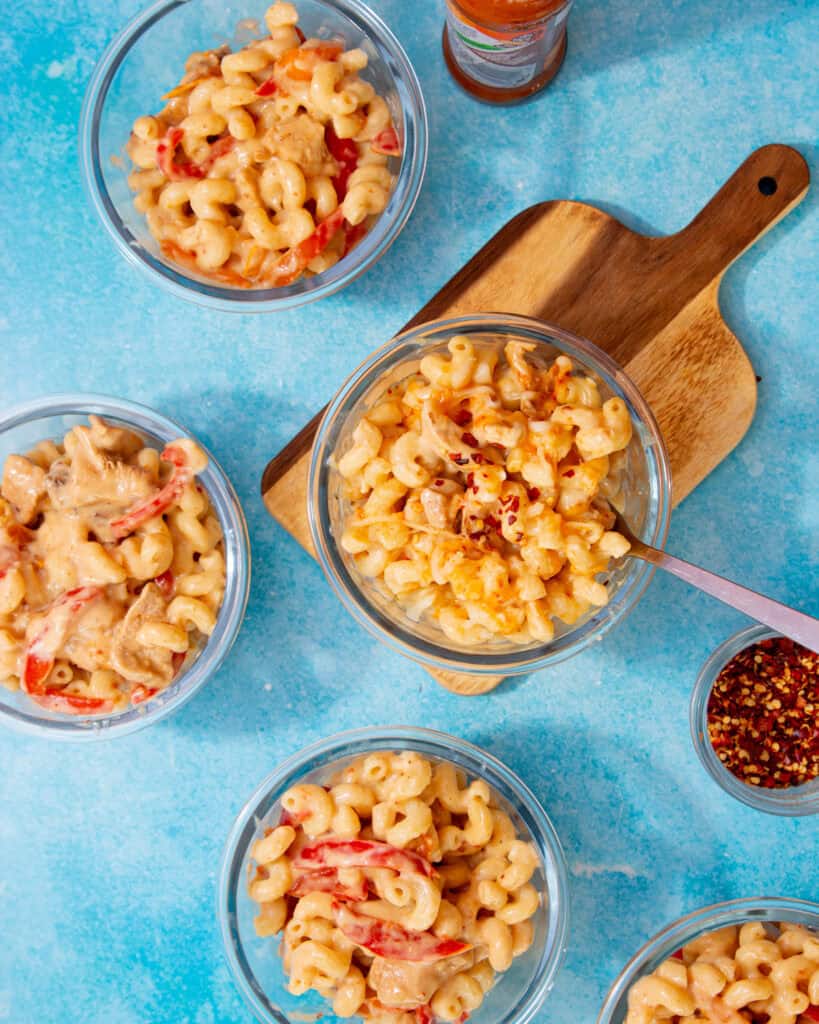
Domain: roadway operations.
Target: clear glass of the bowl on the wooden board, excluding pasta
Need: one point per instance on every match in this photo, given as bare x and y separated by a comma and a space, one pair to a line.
646, 496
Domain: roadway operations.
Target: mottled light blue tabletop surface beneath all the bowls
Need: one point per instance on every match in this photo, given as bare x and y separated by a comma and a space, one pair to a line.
110, 852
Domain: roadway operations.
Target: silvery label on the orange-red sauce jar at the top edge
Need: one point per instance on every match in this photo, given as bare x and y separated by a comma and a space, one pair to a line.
504, 60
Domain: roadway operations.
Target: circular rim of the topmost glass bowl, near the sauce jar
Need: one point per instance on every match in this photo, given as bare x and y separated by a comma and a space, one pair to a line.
386, 230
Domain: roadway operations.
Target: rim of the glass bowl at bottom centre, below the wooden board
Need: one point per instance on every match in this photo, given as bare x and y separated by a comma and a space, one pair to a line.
357, 742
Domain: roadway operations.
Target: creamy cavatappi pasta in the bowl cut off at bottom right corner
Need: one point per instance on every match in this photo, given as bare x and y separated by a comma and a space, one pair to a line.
738, 975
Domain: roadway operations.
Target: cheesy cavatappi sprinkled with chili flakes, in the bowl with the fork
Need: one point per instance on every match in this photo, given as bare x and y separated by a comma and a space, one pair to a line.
479, 492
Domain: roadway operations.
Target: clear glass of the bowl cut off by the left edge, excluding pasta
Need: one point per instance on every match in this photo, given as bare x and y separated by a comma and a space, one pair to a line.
51, 417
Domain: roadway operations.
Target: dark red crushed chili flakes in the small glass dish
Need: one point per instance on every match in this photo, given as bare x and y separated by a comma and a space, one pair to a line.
764, 714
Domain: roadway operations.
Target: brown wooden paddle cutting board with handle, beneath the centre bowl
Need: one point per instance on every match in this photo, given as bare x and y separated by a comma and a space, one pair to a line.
653, 304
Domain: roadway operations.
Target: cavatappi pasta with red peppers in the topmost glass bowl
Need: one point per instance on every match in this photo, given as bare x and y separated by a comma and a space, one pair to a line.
268, 163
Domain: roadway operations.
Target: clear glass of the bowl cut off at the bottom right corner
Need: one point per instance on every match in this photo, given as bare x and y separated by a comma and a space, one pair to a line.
738, 912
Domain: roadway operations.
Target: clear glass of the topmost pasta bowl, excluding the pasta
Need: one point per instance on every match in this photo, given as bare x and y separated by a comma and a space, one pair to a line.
147, 59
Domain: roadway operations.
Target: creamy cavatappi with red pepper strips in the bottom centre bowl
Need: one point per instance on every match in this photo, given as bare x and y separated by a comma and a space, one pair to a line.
401, 889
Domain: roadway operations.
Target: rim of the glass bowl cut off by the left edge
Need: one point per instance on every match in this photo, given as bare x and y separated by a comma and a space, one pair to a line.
232, 612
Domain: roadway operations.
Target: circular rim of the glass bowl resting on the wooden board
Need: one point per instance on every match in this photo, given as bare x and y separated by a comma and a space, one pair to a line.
438, 656
